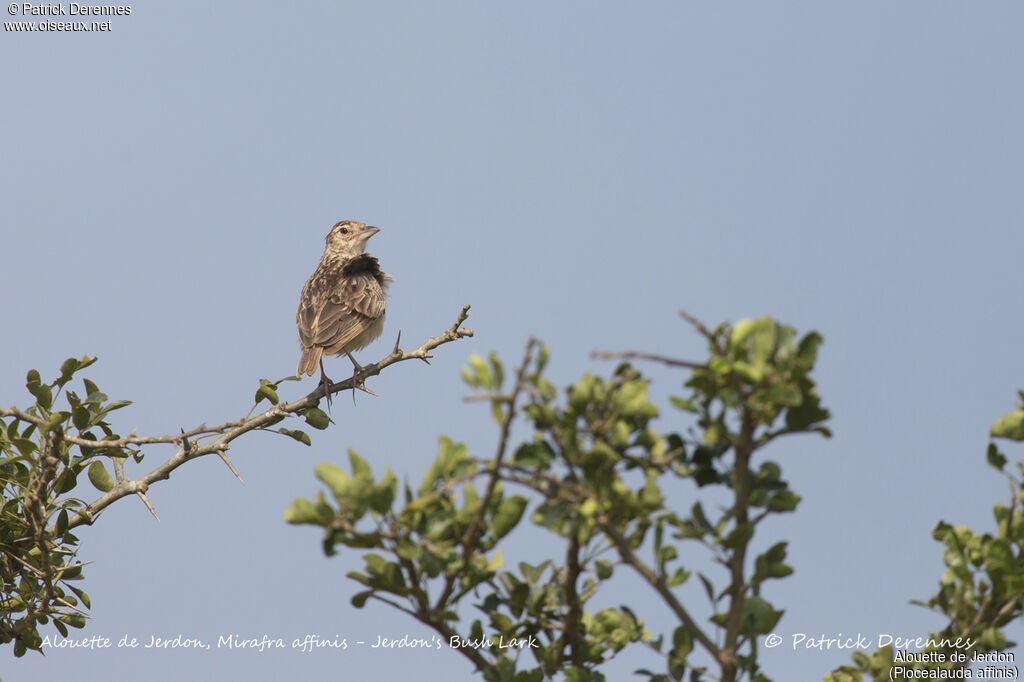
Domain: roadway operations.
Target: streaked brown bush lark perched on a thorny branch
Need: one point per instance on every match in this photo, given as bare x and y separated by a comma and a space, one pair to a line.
342, 309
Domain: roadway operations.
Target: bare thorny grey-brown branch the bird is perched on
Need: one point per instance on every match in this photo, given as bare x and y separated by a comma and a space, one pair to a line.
189, 443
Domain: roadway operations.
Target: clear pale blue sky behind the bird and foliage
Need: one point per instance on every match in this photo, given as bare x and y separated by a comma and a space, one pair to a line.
579, 172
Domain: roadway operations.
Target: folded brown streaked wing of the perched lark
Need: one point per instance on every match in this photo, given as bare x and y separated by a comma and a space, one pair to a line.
356, 304
